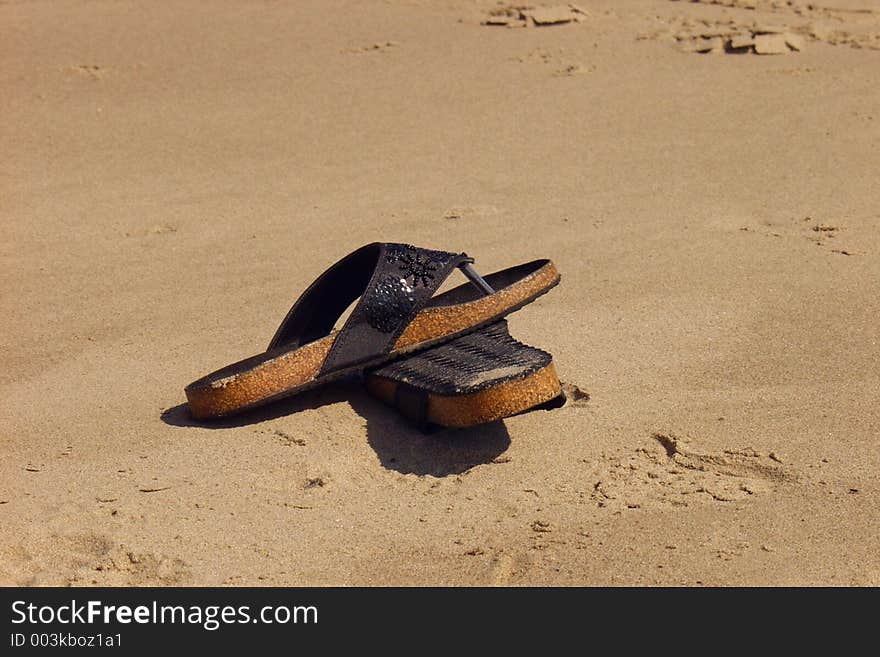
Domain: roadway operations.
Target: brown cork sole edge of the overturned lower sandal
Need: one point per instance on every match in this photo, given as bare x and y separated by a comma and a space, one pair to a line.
487, 405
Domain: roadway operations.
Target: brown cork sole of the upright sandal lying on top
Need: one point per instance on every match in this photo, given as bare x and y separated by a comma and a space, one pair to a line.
284, 371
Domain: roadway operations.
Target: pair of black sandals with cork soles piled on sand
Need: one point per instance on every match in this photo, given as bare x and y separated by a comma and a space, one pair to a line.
447, 360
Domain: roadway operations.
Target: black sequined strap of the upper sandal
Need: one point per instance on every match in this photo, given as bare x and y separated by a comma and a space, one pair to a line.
394, 282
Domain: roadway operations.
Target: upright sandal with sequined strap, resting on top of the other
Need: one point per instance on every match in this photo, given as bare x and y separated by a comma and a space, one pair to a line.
396, 314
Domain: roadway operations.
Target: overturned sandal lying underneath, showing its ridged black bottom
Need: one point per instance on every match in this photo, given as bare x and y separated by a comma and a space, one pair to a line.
480, 377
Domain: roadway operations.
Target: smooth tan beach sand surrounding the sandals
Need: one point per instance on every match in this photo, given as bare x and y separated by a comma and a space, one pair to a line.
175, 173
